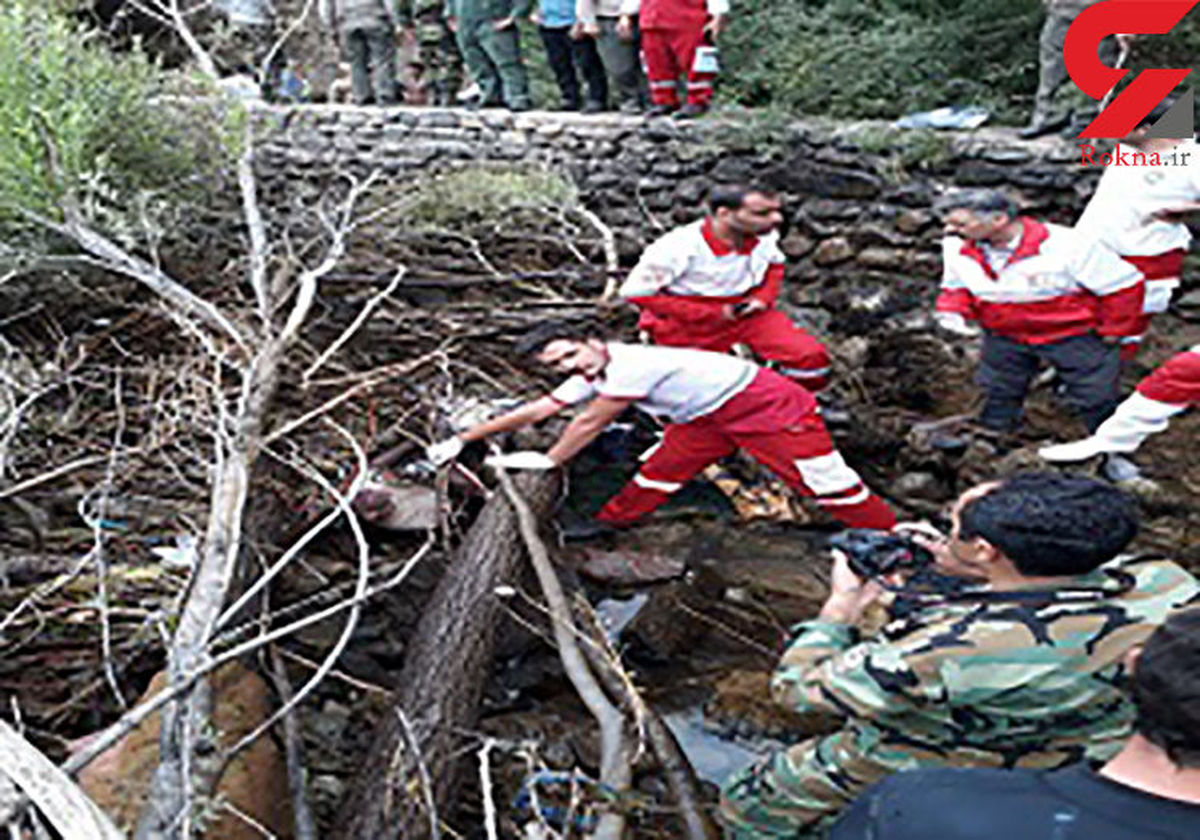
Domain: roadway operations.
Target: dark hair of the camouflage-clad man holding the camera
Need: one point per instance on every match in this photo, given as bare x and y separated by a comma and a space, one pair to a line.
1053, 524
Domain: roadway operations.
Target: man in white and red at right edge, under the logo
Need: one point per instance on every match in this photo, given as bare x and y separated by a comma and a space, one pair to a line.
1138, 211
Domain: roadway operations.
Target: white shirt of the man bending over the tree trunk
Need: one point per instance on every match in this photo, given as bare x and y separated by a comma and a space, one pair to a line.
675, 383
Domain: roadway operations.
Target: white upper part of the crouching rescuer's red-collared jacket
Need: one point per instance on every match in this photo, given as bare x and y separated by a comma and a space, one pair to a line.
683, 262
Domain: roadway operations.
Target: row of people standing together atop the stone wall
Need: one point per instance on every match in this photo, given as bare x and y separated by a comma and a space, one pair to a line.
658, 57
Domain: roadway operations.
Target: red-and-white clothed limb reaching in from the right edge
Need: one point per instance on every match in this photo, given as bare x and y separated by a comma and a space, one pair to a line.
1169, 391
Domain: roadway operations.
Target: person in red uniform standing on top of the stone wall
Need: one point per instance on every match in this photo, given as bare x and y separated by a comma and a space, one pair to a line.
679, 39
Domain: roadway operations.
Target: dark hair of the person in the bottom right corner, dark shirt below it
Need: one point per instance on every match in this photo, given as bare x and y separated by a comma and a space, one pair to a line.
1167, 689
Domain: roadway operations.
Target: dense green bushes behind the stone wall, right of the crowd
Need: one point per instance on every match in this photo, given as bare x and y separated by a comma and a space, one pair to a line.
884, 58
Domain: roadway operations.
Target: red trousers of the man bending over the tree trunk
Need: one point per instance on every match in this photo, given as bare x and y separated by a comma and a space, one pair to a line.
776, 422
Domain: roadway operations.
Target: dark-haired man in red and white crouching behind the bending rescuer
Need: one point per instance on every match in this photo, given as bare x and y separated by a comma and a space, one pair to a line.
713, 284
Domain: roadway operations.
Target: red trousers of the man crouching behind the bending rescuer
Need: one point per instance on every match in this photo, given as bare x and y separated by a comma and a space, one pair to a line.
770, 335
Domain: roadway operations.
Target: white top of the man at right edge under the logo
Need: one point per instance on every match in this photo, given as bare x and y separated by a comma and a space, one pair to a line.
1126, 197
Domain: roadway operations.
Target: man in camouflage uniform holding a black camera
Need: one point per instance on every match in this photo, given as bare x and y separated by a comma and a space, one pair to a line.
1016, 662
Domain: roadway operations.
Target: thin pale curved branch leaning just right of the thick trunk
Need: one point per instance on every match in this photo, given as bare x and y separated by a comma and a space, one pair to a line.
615, 770
